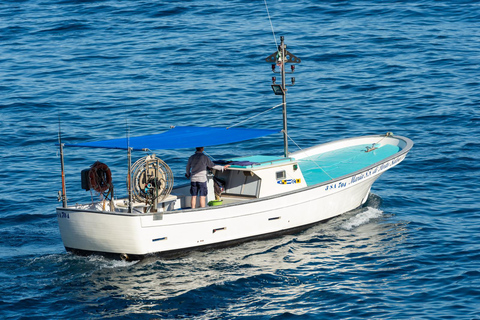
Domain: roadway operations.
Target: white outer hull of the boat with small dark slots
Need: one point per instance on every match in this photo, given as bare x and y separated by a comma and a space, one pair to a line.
133, 235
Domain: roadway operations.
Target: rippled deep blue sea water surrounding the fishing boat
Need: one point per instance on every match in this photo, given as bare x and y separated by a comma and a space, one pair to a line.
106, 67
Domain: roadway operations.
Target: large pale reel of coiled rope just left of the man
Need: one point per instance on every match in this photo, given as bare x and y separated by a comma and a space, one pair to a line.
152, 180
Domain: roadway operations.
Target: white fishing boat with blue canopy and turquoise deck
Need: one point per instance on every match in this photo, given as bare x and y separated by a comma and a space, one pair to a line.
257, 197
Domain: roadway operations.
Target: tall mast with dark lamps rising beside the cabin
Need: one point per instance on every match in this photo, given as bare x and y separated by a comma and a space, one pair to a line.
281, 58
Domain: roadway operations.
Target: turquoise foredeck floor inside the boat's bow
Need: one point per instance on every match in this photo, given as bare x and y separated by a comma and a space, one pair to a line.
334, 164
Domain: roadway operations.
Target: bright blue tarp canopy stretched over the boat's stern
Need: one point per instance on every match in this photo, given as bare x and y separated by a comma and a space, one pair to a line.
180, 137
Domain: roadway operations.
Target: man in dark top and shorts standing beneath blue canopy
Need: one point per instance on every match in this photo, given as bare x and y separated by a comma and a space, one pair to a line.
197, 173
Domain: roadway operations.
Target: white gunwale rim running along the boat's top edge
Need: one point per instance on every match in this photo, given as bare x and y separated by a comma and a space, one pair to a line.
404, 151
